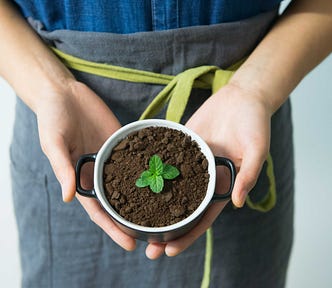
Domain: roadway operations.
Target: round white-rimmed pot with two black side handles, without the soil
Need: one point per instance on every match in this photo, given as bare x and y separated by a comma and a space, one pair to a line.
153, 234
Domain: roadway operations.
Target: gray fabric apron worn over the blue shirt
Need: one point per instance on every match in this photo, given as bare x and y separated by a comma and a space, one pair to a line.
61, 247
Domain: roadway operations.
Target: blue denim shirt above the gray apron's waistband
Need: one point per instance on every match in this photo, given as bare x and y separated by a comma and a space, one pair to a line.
129, 16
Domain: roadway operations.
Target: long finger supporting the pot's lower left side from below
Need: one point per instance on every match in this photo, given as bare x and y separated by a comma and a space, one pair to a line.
99, 217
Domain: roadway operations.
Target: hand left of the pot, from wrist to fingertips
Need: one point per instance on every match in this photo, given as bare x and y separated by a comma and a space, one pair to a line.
71, 123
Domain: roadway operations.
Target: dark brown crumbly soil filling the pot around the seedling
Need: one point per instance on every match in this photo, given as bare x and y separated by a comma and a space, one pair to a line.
180, 196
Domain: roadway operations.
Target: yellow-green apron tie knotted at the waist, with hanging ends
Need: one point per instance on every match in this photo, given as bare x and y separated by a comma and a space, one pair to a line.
176, 94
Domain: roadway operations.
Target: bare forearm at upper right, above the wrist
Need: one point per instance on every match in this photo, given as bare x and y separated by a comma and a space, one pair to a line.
298, 42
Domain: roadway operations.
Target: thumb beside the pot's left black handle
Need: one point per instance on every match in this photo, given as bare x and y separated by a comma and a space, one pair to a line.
60, 159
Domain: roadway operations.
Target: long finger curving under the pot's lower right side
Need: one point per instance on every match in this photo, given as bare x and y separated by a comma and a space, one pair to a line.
177, 246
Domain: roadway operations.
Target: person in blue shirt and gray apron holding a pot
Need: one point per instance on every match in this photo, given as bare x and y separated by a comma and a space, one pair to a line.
62, 113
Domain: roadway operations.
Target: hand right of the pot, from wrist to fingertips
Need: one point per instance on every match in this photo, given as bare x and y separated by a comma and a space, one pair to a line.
236, 124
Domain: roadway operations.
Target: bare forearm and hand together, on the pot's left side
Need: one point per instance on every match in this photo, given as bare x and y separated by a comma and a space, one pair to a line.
72, 119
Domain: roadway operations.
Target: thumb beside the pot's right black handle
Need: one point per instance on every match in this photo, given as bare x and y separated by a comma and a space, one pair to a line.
247, 177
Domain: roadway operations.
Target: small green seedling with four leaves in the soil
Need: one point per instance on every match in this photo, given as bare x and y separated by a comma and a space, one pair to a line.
154, 177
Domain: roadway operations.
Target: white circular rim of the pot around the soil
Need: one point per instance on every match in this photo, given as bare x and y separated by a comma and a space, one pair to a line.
115, 138
